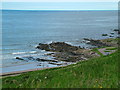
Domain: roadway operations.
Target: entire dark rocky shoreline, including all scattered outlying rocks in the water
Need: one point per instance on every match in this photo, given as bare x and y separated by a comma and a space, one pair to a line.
62, 51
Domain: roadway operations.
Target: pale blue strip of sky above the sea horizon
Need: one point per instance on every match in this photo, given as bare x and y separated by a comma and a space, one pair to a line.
60, 4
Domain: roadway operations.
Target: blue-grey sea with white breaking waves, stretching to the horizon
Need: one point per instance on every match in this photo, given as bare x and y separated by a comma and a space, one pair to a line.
22, 31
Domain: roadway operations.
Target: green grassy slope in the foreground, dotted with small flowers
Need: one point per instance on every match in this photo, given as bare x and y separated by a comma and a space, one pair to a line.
100, 72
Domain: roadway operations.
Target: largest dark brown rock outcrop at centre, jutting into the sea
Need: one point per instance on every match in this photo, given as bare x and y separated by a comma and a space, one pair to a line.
67, 52
